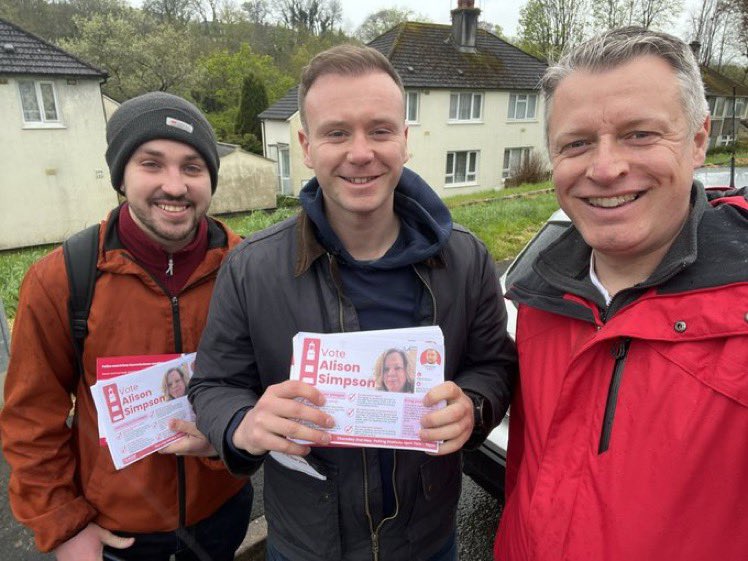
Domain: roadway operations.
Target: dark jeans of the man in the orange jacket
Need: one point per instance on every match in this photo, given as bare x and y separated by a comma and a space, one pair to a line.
214, 539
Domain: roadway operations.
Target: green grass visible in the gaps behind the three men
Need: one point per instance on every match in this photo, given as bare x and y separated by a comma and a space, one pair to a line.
505, 224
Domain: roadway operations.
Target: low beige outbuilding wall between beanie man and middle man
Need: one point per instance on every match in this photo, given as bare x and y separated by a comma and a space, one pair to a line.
245, 182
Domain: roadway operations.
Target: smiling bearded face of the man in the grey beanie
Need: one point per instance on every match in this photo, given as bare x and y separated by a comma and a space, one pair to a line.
168, 190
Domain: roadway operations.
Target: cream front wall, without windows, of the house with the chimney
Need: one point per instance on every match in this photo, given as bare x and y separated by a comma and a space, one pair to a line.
433, 136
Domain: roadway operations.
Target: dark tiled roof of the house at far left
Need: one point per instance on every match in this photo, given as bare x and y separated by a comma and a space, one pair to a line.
22, 52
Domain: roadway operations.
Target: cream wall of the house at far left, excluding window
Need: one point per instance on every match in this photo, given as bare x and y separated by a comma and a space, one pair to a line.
54, 181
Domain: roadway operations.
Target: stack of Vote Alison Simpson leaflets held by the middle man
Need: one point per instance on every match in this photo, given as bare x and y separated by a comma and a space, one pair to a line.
374, 383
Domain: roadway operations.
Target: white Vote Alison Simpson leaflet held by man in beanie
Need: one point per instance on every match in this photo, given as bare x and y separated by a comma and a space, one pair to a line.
135, 408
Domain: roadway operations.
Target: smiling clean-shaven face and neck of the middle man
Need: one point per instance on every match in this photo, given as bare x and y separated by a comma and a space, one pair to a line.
356, 143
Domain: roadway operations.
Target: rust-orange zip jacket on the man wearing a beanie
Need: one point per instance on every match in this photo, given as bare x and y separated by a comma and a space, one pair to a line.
61, 478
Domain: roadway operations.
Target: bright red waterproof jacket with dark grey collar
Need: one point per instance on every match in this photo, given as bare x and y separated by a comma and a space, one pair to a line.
629, 435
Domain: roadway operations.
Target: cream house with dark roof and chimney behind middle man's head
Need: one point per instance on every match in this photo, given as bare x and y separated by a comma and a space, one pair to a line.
472, 106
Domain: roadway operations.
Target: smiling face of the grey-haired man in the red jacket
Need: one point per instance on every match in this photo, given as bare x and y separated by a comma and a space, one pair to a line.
623, 158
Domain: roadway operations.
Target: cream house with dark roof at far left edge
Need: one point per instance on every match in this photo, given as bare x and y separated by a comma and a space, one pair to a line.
54, 178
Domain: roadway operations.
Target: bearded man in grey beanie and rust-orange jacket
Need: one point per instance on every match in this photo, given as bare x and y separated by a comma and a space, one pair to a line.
158, 256
